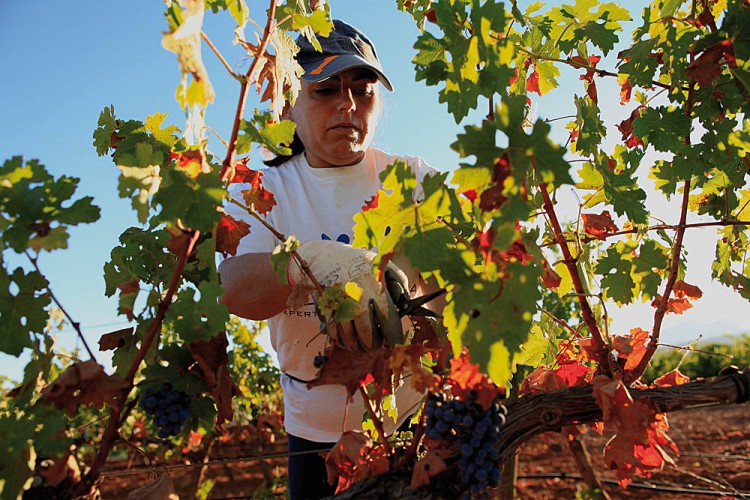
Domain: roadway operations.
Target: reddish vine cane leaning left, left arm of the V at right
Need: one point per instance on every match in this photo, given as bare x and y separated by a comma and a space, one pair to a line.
600, 346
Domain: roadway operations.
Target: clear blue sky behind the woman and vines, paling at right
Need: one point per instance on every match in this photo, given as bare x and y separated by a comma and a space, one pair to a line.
63, 62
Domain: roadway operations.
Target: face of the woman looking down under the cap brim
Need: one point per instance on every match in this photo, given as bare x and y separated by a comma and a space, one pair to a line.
336, 118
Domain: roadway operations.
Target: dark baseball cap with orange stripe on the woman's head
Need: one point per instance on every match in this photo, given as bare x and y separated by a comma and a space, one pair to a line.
344, 48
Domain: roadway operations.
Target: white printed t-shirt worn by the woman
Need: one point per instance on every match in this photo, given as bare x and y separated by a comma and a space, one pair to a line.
315, 204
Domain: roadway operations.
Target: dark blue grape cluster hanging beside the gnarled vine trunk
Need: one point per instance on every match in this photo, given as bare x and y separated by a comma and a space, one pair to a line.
477, 432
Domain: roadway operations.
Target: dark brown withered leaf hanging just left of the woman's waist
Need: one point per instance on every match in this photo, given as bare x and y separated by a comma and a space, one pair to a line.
212, 359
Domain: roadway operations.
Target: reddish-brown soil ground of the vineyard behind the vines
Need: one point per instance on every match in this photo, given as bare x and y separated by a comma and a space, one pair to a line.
714, 461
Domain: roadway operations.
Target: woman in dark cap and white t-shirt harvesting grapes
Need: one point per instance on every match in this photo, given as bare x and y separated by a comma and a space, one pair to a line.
331, 174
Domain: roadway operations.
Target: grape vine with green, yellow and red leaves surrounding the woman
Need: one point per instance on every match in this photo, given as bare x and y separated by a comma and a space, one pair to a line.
527, 284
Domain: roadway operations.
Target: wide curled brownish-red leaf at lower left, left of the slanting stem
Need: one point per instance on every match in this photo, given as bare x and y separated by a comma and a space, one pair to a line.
83, 383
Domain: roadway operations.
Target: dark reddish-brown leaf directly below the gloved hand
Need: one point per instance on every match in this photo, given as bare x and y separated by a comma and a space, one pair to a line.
353, 369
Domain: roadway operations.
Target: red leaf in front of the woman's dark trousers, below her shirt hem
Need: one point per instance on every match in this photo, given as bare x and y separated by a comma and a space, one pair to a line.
355, 458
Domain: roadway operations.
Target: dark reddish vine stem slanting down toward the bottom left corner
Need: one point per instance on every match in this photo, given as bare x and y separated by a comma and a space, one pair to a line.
111, 433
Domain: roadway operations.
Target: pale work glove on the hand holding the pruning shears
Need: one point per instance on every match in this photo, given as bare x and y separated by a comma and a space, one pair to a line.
376, 319
